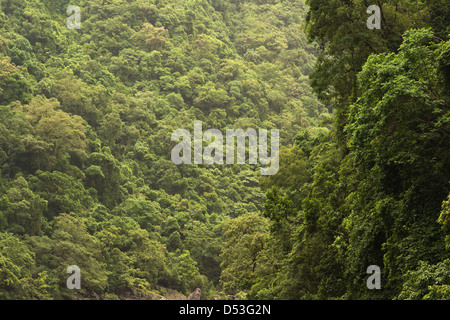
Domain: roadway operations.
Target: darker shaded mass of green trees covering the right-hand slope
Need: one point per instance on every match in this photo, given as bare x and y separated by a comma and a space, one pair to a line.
371, 191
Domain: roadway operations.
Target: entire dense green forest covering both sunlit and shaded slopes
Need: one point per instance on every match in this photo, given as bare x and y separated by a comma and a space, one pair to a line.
86, 176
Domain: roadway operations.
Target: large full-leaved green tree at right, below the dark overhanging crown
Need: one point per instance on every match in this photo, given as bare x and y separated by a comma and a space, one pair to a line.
404, 145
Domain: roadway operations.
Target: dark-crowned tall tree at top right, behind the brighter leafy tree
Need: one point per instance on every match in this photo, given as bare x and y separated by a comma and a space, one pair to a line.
346, 44
